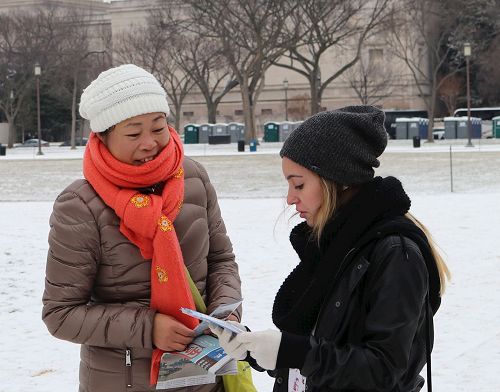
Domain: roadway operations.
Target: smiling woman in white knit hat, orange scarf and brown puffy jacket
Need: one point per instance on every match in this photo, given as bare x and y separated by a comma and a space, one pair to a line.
121, 239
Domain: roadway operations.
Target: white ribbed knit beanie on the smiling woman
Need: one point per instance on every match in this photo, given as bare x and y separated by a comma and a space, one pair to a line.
121, 93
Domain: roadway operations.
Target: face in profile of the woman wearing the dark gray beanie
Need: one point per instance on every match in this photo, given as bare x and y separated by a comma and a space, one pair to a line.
304, 190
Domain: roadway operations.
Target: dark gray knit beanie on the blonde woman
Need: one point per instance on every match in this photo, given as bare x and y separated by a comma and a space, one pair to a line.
341, 145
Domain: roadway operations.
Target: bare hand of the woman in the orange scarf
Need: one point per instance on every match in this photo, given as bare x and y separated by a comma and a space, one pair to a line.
170, 334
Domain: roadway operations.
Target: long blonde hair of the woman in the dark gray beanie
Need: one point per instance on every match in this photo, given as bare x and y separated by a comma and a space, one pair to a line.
335, 195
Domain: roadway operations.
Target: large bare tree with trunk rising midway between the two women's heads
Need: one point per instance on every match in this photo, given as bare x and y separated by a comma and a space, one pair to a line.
251, 35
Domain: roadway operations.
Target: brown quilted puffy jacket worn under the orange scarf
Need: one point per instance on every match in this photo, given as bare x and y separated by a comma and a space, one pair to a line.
97, 285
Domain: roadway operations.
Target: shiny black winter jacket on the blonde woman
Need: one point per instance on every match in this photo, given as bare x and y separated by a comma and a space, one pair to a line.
370, 333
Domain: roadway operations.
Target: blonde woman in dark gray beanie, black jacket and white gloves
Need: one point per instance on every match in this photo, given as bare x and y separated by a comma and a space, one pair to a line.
356, 313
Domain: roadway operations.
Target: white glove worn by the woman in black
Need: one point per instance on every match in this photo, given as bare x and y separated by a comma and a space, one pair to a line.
263, 346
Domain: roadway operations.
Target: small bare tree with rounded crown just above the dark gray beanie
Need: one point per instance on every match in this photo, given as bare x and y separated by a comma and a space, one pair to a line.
371, 79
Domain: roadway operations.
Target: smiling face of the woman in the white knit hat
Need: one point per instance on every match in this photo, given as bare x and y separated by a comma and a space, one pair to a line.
139, 139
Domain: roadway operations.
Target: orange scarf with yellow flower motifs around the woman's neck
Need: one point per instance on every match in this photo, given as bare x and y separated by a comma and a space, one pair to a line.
147, 220
